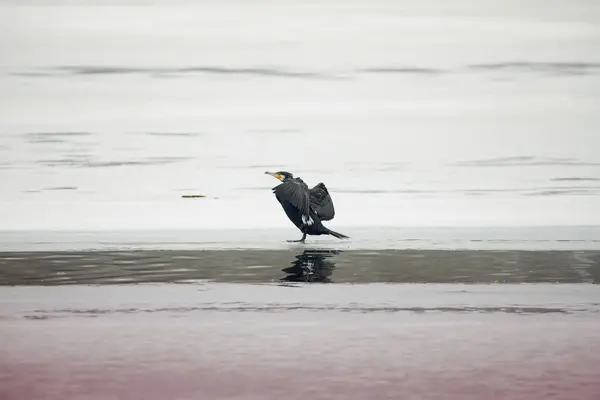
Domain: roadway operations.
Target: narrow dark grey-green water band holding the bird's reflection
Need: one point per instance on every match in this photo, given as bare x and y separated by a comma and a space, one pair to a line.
305, 264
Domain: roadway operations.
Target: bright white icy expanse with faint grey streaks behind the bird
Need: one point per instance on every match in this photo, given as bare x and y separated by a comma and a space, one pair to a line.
413, 113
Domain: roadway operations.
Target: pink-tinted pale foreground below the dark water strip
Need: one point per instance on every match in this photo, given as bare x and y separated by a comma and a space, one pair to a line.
61, 344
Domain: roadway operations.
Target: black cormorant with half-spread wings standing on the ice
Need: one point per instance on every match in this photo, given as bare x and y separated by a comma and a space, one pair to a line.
305, 207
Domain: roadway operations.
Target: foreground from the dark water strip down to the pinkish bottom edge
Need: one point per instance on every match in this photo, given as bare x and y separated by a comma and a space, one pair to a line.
303, 322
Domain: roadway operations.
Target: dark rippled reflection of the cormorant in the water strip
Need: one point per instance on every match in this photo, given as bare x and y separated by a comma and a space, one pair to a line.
314, 265
